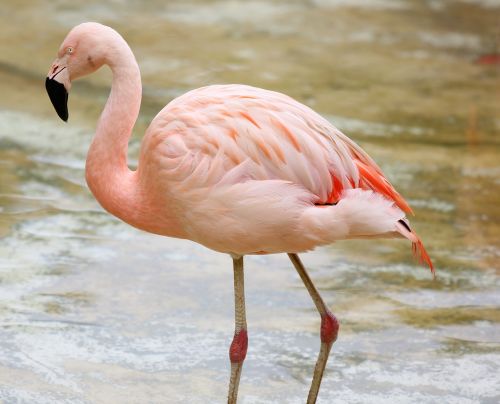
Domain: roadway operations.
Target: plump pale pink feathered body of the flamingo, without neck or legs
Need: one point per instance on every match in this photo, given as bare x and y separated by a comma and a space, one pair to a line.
249, 170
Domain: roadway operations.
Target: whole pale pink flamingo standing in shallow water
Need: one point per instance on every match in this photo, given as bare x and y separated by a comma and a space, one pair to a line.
238, 169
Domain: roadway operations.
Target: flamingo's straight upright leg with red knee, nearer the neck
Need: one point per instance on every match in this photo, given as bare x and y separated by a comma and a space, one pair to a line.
238, 349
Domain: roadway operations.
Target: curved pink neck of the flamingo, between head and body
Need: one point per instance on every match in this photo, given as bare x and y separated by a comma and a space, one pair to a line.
113, 184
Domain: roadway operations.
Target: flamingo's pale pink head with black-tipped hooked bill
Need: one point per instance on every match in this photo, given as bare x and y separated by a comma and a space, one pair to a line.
82, 52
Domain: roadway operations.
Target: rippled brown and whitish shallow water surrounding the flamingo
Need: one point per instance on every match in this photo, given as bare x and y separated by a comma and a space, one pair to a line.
92, 310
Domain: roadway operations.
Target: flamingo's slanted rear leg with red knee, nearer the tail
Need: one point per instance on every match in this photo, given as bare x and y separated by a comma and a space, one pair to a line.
329, 328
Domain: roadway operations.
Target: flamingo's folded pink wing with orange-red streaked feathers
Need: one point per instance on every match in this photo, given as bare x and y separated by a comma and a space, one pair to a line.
237, 132
